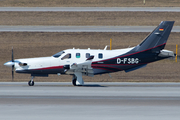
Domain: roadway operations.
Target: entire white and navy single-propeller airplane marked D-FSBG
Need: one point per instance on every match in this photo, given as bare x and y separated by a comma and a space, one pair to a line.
90, 62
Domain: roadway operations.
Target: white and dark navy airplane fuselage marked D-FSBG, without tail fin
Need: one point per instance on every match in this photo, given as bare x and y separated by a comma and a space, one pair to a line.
104, 61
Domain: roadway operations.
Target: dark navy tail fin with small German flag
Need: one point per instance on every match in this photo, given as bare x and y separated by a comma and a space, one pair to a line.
157, 38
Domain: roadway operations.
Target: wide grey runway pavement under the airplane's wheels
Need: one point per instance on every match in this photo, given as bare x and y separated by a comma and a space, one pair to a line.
115, 101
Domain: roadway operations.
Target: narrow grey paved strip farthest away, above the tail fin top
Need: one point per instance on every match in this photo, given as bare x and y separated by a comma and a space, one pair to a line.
91, 9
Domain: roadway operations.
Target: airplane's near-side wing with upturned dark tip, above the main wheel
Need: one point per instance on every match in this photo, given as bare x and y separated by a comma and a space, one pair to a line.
84, 68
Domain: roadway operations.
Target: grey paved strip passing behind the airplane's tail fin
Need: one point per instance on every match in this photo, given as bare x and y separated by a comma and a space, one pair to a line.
81, 28
